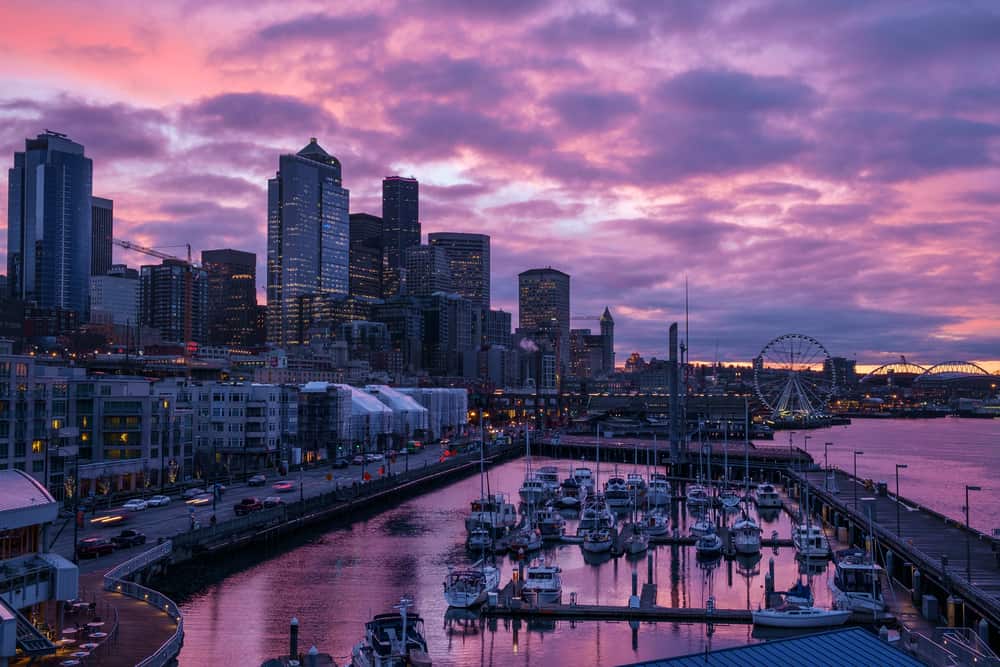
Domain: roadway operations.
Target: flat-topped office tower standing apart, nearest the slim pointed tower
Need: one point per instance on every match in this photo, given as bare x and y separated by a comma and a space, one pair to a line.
543, 307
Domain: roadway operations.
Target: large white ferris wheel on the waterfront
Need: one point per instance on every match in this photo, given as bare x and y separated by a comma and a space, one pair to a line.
793, 376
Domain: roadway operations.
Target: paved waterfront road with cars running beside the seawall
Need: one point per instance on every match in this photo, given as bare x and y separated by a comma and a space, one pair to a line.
174, 518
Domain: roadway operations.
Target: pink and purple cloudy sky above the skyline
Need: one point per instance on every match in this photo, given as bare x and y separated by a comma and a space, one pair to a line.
829, 167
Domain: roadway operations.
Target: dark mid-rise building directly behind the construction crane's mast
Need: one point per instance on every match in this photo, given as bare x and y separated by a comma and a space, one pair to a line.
173, 298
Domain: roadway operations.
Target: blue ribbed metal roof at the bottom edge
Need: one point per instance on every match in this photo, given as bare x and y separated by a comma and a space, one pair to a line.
850, 647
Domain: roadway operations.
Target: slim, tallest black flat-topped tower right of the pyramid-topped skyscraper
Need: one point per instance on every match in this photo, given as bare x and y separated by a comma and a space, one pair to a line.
400, 227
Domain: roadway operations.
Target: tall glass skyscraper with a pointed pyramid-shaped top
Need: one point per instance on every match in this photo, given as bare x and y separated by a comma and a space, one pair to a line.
308, 237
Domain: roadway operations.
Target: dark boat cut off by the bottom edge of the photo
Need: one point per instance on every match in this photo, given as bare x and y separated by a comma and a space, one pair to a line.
392, 640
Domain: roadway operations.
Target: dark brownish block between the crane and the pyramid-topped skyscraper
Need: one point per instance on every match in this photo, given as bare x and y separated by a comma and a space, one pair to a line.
232, 296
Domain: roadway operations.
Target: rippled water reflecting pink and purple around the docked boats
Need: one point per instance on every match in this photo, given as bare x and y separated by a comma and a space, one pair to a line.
336, 582
